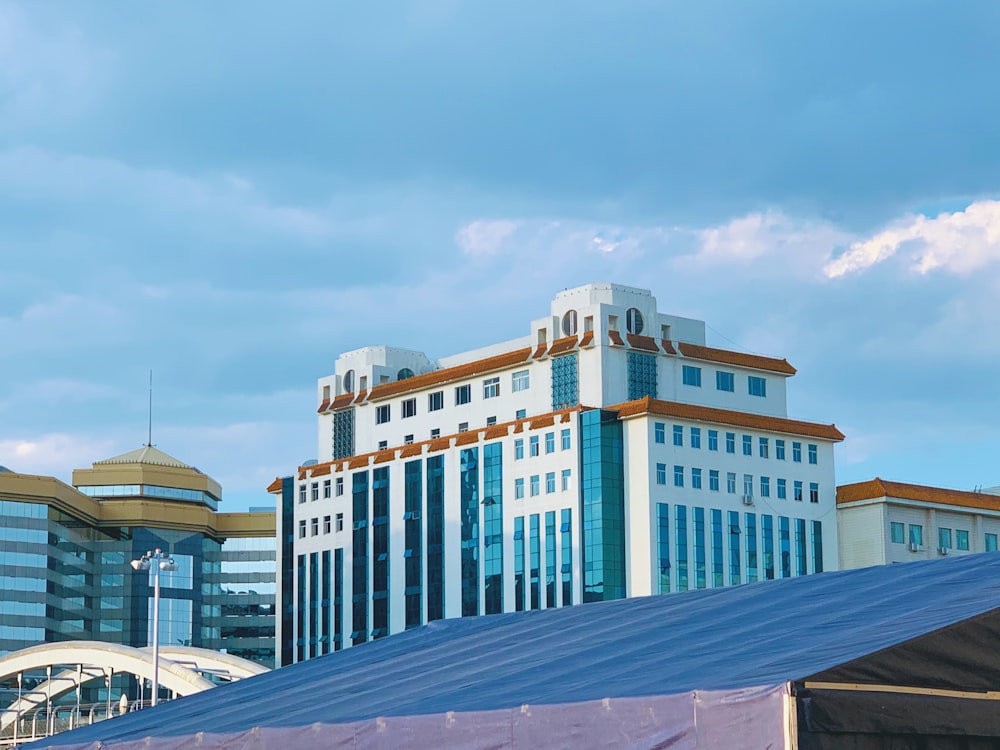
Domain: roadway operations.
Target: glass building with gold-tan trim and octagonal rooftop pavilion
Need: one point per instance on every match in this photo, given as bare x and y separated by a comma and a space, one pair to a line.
65, 554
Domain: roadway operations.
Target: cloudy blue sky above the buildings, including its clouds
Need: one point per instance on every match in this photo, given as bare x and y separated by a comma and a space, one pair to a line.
232, 193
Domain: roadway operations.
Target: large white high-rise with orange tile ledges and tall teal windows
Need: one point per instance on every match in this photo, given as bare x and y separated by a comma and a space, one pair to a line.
608, 453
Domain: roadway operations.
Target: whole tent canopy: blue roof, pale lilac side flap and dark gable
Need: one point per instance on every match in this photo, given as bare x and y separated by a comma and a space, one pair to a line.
676, 668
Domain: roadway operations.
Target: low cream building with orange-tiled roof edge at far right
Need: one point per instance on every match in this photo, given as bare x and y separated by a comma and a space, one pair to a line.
884, 522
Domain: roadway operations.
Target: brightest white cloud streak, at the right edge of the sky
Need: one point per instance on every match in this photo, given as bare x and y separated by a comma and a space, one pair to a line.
959, 242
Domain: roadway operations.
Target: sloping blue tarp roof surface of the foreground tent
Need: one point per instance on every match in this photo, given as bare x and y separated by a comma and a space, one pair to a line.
719, 639
